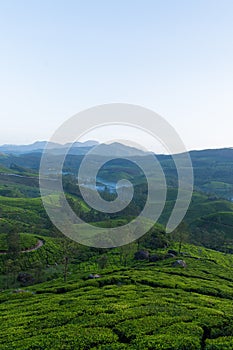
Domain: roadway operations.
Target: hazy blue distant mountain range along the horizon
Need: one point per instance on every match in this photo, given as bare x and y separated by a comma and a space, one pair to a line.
213, 168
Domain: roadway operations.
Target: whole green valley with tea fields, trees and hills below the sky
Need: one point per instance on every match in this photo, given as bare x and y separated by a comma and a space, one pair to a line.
145, 292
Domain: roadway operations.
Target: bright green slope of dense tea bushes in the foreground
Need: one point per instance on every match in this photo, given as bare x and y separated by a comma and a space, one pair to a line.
146, 306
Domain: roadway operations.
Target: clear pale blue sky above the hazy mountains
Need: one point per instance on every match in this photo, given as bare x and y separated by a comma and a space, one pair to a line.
172, 56
